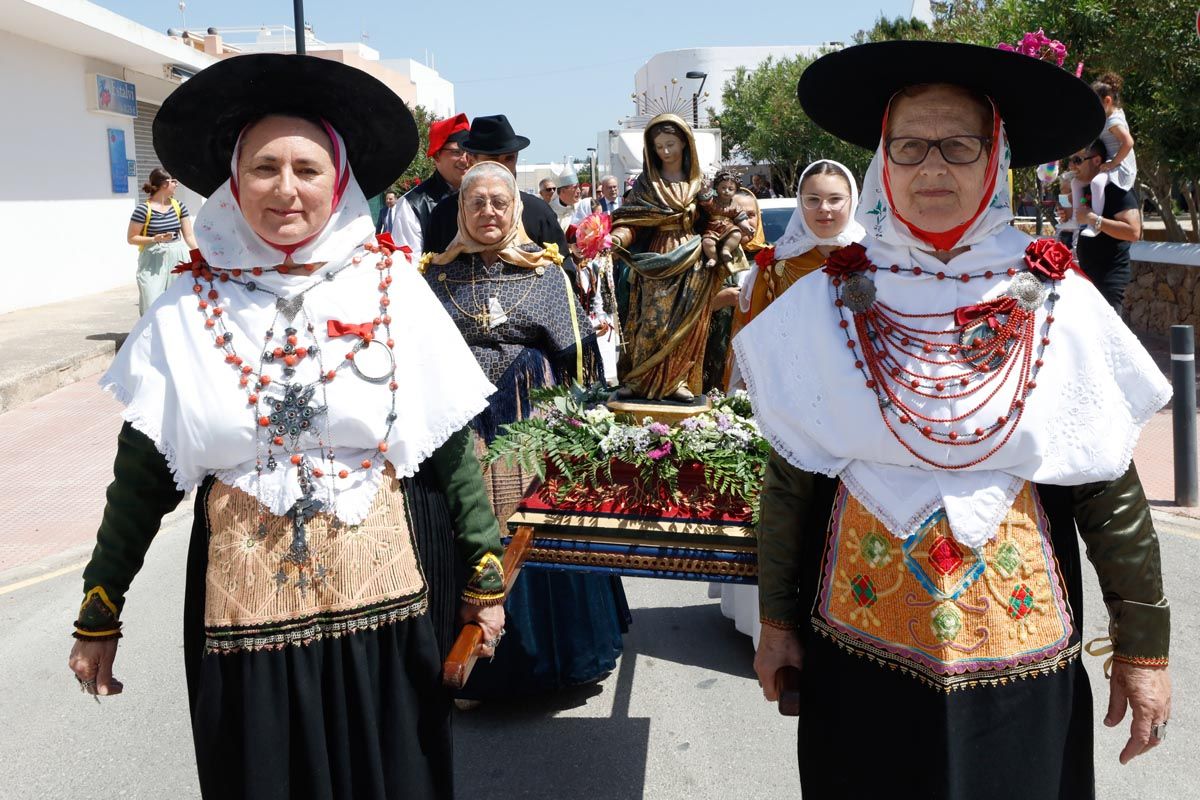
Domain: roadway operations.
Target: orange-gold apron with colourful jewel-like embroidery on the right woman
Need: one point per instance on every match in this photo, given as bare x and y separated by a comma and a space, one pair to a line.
949, 615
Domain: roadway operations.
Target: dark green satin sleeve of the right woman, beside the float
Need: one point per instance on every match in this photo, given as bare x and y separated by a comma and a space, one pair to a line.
784, 508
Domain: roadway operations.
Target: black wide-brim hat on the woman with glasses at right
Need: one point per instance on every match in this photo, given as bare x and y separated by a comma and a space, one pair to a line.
1048, 112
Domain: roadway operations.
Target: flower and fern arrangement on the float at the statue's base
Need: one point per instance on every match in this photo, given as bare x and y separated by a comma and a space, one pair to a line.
707, 465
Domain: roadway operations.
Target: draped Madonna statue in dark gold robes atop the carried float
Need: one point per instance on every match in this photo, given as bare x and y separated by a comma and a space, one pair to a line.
657, 237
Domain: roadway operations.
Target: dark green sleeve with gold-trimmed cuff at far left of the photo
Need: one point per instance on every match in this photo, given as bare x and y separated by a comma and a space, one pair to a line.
142, 494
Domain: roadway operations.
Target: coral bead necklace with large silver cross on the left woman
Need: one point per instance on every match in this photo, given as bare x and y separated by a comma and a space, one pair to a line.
286, 411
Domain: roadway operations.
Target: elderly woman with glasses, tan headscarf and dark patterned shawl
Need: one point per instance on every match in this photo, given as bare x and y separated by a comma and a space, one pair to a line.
515, 308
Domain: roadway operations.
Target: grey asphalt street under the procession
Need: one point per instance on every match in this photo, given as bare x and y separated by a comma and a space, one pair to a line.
682, 718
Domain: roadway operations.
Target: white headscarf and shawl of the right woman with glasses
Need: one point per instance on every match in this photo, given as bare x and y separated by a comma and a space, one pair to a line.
1099, 388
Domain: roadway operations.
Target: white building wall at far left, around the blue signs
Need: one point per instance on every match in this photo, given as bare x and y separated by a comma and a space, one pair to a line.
62, 227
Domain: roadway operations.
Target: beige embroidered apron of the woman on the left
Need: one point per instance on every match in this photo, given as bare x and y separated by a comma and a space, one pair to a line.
358, 576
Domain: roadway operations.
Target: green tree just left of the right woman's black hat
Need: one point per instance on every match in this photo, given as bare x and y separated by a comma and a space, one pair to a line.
764, 123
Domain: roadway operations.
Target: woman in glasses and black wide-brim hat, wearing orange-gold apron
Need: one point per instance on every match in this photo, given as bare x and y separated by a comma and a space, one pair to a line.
949, 404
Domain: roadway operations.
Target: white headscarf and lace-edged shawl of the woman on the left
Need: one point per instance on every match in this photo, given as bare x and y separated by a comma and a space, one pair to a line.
181, 393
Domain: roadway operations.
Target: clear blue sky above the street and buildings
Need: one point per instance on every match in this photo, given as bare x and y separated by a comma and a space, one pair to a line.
561, 71
